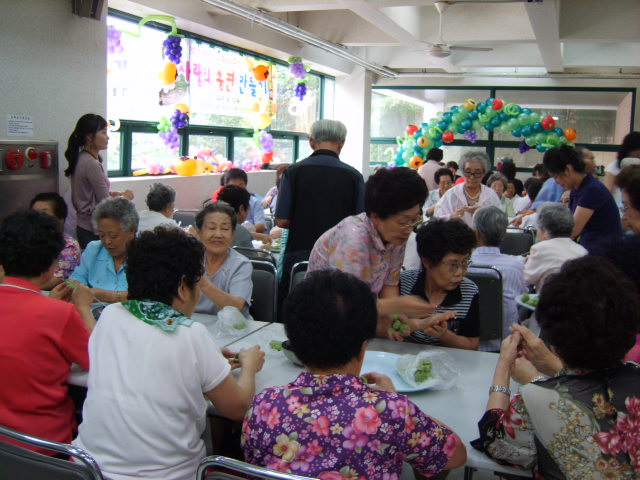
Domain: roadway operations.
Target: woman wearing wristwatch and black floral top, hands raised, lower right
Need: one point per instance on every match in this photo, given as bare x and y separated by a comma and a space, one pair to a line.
576, 414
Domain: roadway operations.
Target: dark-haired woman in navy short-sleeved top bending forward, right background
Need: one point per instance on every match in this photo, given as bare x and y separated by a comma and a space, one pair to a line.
594, 211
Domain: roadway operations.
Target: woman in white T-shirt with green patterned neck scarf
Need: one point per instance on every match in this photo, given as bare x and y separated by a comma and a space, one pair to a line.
153, 368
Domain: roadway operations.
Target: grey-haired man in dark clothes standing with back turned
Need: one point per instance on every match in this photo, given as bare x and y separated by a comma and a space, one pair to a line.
316, 193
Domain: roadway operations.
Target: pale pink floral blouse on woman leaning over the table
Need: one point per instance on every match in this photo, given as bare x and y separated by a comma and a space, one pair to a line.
354, 246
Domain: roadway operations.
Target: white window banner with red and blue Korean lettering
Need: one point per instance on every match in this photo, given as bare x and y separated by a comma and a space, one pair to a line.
220, 83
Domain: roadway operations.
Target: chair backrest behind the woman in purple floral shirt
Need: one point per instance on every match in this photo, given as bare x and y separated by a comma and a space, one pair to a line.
222, 468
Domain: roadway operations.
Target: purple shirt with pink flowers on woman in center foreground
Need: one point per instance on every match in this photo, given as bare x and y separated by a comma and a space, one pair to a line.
334, 427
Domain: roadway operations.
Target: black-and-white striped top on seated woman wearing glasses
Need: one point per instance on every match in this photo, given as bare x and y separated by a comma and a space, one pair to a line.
463, 300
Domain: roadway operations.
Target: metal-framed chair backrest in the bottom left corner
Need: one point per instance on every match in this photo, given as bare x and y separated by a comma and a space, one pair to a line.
24, 464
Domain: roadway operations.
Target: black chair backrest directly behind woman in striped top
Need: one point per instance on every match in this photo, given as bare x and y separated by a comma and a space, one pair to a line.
489, 282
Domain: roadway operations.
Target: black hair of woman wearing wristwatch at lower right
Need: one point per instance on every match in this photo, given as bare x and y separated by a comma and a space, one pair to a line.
589, 313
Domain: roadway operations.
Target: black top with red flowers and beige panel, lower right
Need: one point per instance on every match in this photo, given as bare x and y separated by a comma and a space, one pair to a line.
574, 426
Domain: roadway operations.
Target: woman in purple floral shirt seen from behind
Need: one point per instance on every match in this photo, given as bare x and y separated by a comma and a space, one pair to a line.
329, 423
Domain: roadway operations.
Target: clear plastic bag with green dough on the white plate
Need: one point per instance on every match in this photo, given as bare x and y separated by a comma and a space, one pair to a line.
443, 374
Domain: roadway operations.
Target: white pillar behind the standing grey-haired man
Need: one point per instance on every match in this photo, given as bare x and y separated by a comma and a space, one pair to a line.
353, 108
